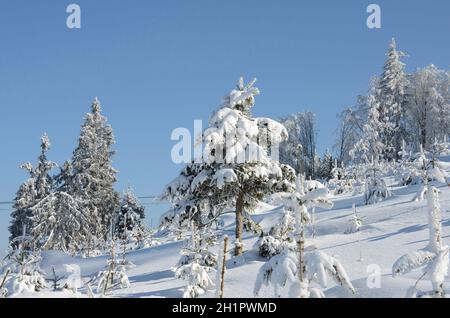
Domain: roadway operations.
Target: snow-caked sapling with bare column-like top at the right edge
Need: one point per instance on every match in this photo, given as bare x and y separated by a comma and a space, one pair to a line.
434, 258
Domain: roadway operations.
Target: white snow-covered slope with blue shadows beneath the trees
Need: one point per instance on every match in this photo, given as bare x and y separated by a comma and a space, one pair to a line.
395, 226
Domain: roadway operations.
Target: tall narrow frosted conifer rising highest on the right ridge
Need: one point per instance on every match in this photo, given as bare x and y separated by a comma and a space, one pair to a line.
392, 97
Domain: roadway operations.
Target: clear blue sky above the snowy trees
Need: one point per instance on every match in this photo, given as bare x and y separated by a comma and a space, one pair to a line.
158, 65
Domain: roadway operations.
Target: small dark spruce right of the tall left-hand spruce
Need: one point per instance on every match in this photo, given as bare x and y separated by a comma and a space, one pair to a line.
129, 225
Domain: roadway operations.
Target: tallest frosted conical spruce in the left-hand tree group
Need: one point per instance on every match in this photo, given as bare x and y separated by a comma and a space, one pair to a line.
91, 178
